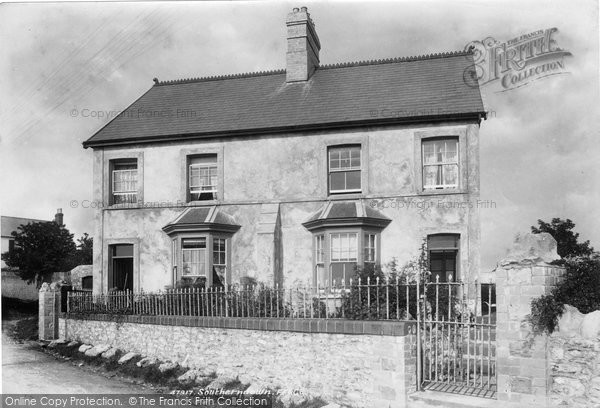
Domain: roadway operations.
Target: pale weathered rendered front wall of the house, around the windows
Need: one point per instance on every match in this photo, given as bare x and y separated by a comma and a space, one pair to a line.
289, 170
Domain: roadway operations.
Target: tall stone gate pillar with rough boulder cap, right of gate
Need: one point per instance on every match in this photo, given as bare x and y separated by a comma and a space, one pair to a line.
525, 274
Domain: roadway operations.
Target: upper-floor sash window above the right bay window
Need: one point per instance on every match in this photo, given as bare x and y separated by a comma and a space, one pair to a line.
344, 166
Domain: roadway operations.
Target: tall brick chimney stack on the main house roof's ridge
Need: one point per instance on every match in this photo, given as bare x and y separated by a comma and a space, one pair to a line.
302, 58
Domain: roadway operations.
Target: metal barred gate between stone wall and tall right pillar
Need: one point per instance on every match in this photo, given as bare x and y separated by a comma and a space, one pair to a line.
456, 338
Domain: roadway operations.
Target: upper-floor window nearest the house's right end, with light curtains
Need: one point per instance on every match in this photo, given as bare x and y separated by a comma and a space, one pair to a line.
440, 163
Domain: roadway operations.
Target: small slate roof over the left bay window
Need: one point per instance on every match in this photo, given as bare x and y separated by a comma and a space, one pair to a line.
208, 218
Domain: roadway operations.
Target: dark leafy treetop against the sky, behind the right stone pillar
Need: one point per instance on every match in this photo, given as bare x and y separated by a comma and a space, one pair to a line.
562, 231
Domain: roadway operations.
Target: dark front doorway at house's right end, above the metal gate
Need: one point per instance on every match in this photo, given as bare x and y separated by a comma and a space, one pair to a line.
443, 256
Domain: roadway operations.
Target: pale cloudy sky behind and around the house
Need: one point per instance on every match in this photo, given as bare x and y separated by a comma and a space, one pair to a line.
67, 68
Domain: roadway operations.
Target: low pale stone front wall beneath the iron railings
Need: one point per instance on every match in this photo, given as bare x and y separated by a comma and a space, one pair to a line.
359, 370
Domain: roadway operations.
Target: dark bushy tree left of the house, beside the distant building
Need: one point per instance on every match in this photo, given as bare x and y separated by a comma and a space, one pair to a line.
41, 248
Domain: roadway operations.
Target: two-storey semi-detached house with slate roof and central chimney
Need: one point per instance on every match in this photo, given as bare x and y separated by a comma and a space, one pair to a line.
289, 176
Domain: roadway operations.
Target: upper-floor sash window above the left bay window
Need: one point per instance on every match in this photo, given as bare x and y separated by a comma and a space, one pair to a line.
203, 177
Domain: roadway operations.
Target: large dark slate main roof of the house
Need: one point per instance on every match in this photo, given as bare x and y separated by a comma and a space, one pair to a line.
341, 95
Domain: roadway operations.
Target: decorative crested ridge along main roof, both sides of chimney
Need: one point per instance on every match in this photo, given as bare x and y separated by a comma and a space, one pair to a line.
326, 66
